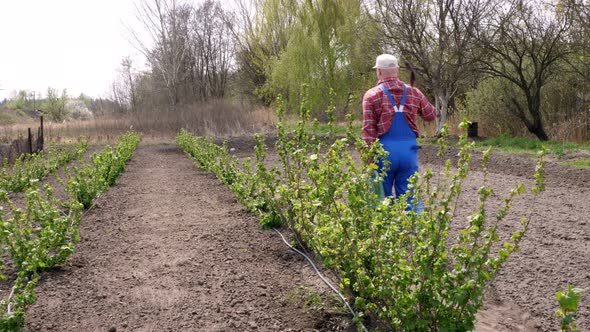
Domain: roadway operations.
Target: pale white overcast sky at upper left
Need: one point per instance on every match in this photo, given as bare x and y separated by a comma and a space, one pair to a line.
72, 44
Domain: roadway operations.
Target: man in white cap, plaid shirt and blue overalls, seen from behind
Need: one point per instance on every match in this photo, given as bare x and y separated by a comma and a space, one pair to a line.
389, 113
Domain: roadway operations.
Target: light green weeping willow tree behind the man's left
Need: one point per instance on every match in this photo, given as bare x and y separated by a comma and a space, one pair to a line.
332, 46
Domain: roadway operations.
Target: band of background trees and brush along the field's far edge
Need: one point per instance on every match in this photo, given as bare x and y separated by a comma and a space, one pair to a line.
517, 67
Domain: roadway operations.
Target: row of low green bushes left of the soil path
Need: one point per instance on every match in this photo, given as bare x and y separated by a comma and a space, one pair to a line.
45, 232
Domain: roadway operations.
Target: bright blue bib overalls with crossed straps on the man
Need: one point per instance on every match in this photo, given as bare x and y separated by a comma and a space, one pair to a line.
400, 142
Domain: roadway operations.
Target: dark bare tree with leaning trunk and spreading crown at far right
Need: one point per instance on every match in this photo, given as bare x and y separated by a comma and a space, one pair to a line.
524, 44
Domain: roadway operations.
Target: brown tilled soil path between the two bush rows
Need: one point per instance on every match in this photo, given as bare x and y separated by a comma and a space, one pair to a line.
169, 249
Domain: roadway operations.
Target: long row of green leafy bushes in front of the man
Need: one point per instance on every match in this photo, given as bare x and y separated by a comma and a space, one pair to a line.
399, 267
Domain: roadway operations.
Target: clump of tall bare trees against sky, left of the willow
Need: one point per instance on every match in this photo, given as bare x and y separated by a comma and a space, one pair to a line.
190, 54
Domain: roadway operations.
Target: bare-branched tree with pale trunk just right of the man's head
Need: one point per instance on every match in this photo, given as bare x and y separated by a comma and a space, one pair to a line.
438, 37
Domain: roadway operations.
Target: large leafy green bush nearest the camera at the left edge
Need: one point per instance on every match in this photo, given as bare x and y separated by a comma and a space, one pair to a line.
36, 238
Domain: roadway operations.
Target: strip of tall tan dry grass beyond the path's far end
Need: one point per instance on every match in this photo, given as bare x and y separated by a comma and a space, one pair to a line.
219, 118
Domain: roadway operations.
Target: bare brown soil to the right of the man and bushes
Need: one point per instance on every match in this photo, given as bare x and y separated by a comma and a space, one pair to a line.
555, 251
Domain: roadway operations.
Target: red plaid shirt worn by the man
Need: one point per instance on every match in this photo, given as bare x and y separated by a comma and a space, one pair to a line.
378, 112
